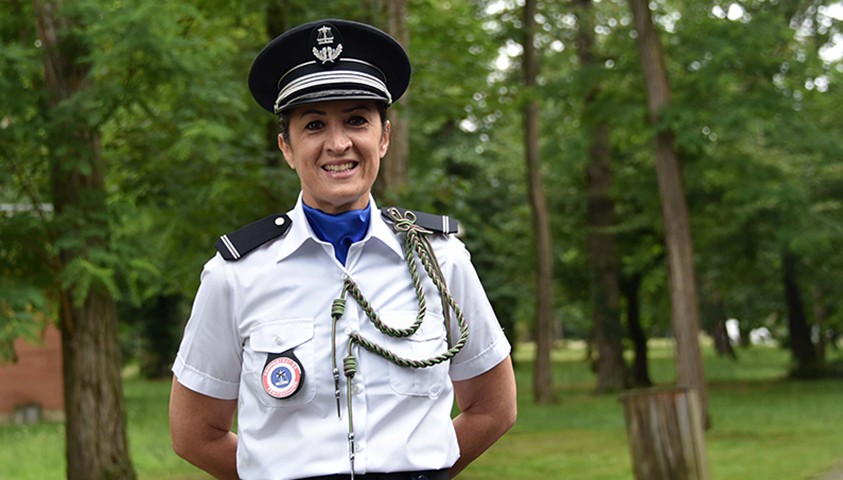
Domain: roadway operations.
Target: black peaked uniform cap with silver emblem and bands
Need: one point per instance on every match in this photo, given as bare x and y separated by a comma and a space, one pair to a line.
329, 60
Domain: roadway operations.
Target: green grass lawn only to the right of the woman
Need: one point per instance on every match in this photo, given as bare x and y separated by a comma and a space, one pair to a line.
763, 426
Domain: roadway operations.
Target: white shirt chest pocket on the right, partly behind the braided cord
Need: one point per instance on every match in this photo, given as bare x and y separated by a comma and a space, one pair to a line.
429, 341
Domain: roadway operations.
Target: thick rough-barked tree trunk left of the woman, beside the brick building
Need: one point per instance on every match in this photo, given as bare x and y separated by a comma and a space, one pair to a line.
95, 430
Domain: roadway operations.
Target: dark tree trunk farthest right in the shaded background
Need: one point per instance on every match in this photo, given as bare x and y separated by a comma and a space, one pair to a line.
804, 354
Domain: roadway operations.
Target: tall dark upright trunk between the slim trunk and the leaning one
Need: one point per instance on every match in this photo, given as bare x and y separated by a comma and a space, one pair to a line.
603, 264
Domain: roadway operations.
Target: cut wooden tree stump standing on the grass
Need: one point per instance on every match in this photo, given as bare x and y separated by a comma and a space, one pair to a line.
666, 435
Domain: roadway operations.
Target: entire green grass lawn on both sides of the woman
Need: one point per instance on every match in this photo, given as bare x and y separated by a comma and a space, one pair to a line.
763, 426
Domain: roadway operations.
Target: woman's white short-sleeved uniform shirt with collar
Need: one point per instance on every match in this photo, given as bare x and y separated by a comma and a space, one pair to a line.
279, 298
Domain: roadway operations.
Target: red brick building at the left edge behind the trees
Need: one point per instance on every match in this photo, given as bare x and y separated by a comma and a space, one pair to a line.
33, 386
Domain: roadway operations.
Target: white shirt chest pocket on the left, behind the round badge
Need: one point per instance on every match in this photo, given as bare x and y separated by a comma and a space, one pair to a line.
278, 337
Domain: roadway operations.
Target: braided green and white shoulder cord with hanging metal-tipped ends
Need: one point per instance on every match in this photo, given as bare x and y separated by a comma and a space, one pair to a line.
416, 245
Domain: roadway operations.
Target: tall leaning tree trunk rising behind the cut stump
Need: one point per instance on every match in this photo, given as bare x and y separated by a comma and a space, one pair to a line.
678, 244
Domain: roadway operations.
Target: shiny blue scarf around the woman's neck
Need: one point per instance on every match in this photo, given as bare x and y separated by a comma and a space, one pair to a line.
340, 230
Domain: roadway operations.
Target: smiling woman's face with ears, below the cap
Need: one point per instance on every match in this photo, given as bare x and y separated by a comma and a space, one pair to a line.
336, 147
